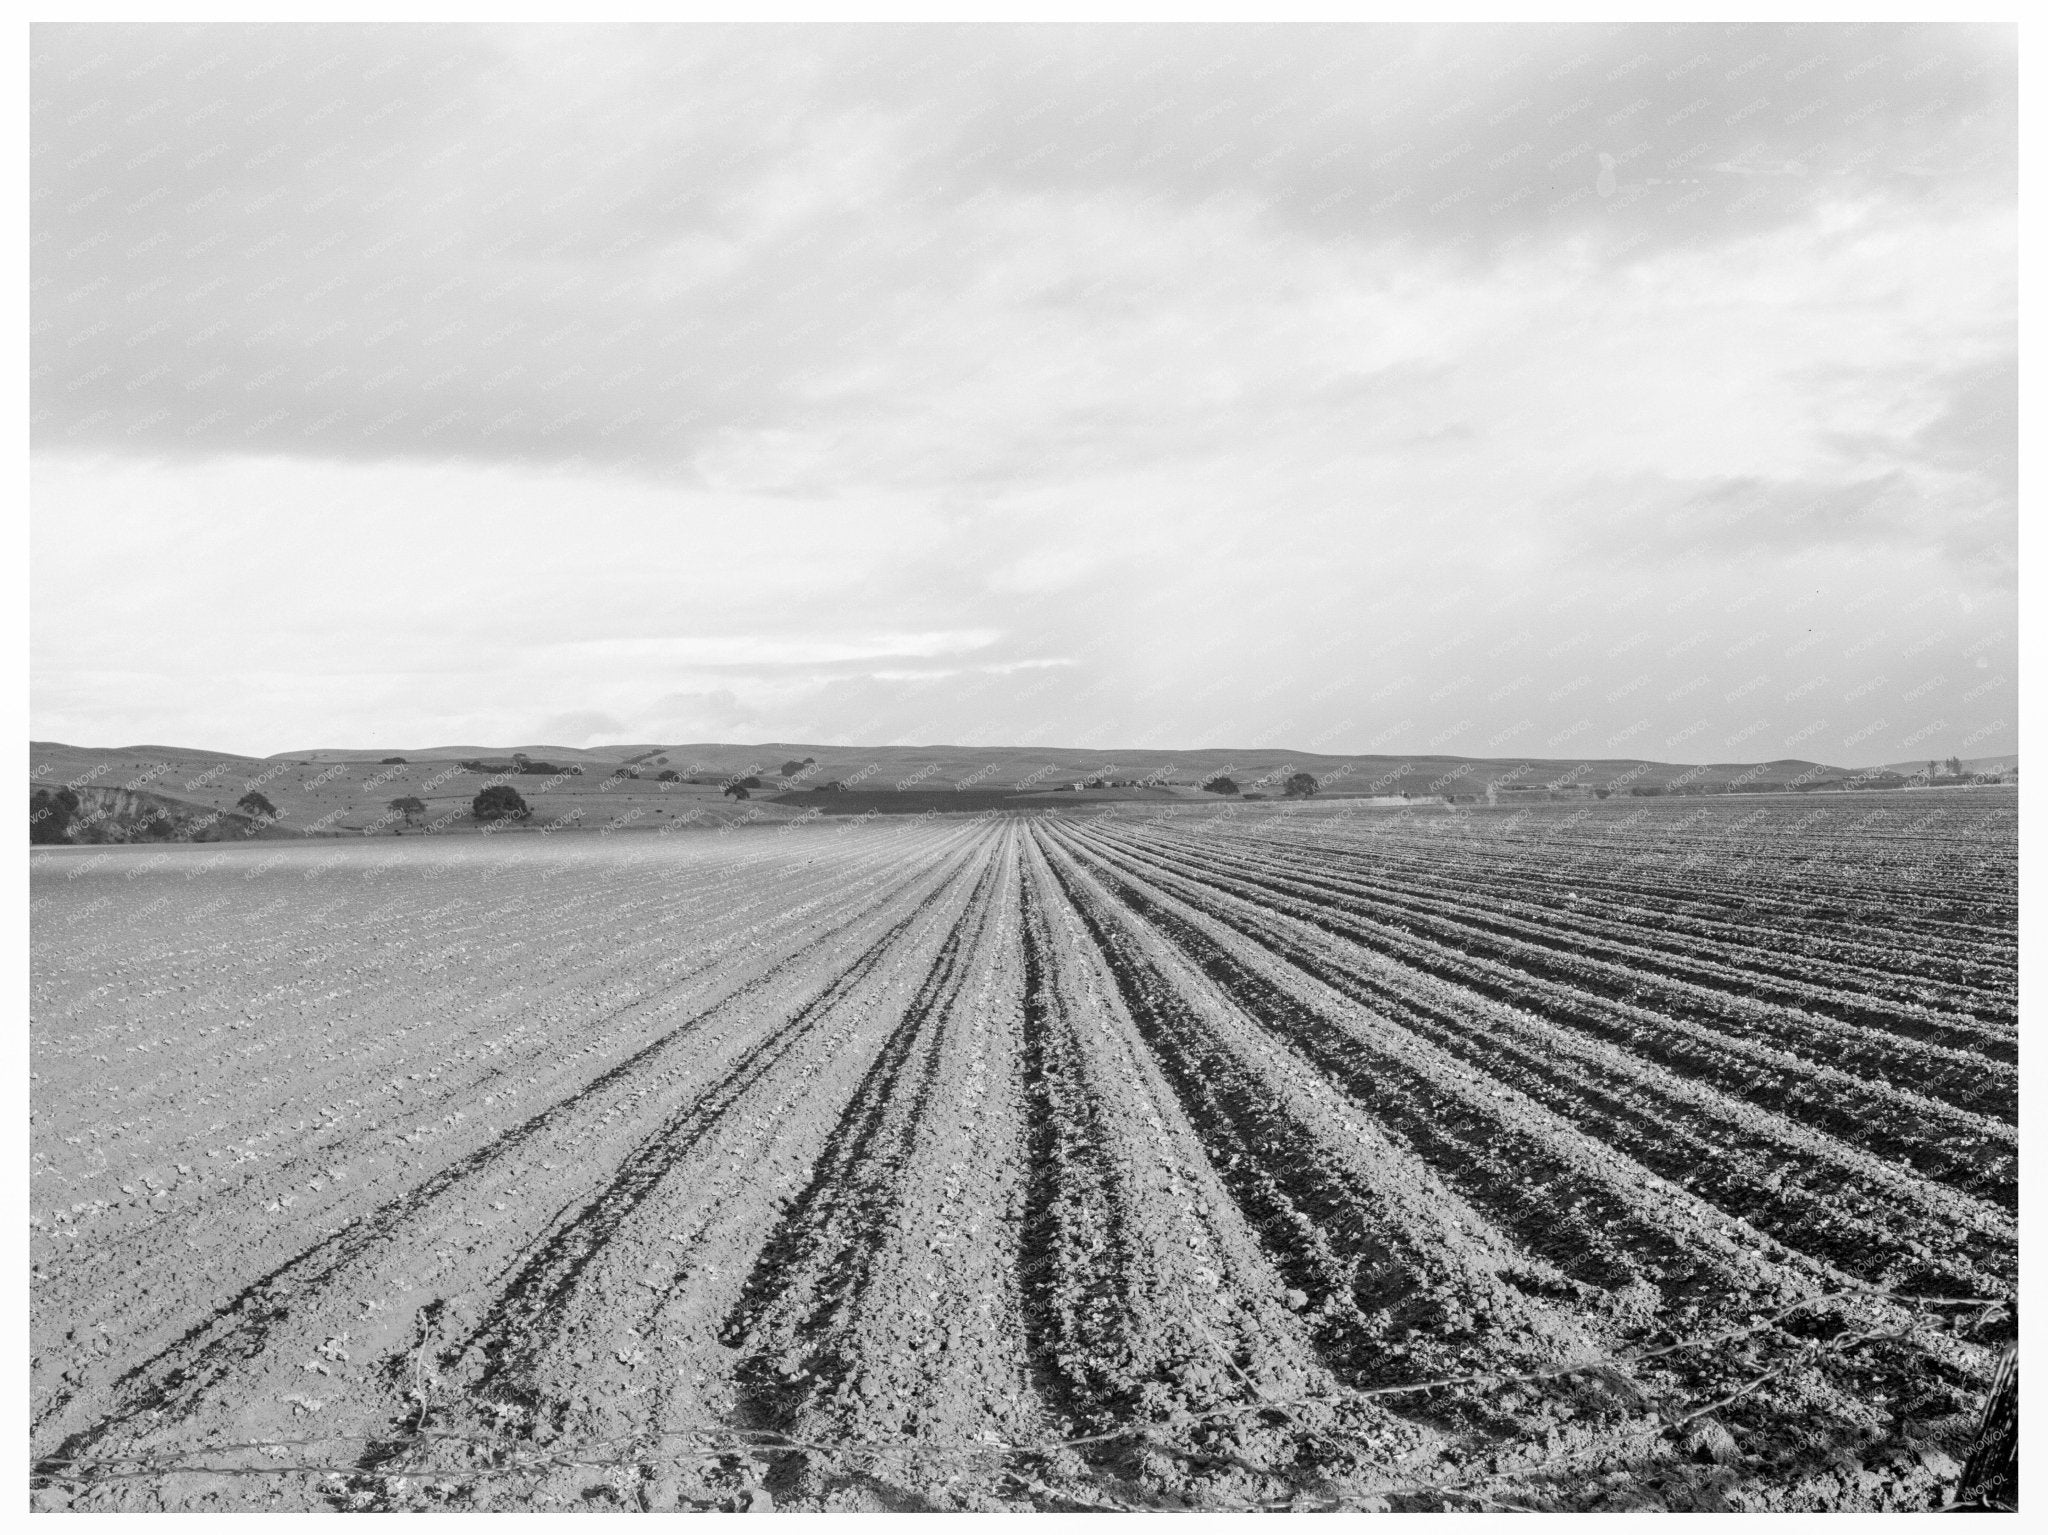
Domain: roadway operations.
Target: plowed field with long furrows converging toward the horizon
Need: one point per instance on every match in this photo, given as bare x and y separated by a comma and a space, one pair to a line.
1605, 1157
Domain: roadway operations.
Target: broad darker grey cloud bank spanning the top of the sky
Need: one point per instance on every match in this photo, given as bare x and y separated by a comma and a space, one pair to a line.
689, 249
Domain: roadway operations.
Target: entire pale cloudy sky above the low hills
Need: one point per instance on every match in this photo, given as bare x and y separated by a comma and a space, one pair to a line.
1568, 390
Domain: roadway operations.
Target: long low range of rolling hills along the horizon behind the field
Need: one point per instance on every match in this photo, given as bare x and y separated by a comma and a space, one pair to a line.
341, 791
